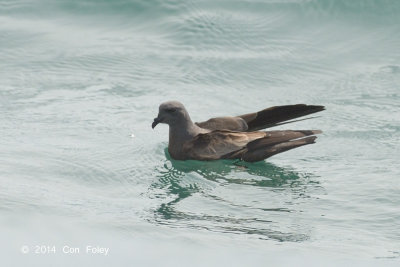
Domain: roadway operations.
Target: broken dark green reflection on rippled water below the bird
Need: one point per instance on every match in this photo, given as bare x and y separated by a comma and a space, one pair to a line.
179, 180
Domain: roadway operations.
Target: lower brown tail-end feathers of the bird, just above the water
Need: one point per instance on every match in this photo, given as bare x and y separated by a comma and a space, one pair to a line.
263, 152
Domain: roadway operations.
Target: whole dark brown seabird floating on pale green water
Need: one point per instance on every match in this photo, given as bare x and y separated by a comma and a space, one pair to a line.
234, 137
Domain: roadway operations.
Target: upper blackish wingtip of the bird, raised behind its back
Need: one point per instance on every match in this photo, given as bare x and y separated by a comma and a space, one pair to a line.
276, 115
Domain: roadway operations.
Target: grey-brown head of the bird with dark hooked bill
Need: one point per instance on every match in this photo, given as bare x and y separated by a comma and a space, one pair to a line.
171, 113
